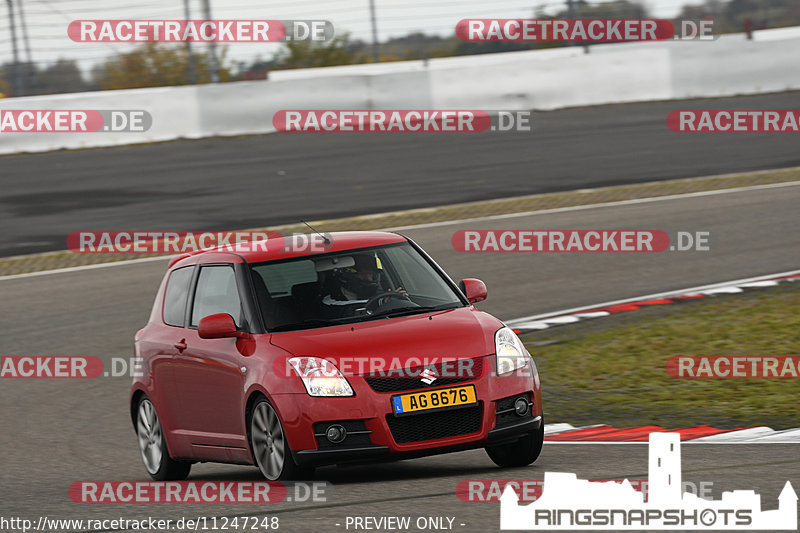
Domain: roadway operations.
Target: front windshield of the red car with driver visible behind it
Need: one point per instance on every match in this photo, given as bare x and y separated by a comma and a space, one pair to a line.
350, 286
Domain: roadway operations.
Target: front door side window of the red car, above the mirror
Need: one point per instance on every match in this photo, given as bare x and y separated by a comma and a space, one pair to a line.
216, 293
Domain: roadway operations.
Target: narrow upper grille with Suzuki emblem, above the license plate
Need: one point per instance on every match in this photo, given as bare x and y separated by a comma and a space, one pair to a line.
411, 378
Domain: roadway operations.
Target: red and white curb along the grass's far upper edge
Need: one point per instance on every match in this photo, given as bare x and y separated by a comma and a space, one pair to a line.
569, 316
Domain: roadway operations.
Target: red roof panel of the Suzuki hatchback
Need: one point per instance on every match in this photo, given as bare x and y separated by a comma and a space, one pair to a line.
275, 247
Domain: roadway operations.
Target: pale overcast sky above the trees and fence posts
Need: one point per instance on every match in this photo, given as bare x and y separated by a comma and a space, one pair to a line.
47, 20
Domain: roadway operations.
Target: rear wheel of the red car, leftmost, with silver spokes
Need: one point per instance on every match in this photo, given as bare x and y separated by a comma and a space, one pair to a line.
153, 446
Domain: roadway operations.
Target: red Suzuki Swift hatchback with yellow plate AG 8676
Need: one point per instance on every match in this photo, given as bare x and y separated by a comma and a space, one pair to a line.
290, 358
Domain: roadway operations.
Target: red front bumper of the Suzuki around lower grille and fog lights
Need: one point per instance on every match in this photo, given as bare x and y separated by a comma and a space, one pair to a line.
372, 410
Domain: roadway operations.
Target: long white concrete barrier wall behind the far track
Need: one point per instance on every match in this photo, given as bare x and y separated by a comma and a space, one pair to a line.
537, 79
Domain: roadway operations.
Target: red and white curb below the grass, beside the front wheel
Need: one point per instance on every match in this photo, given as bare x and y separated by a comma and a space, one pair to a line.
603, 434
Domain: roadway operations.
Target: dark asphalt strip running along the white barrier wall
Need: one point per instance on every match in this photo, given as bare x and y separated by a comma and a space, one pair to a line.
227, 184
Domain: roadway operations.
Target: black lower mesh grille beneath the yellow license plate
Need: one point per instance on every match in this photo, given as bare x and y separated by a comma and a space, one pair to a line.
437, 425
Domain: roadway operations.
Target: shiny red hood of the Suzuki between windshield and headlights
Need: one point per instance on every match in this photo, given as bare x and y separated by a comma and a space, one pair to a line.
459, 333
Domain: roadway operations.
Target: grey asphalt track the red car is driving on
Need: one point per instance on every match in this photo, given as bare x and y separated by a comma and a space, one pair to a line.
55, 432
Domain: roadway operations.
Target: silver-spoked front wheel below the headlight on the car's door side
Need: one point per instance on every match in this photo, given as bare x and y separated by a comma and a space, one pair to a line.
270, 447
